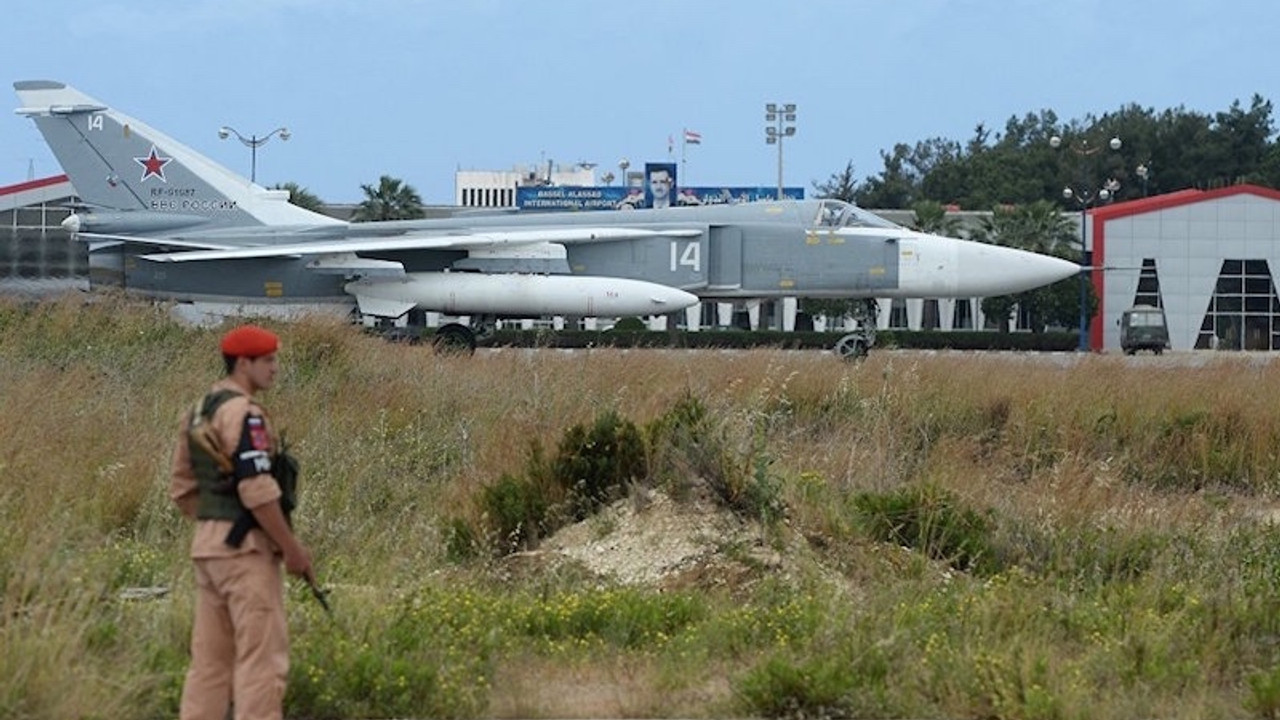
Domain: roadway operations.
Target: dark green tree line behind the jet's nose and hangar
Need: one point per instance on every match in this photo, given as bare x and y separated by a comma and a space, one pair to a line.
1178, 148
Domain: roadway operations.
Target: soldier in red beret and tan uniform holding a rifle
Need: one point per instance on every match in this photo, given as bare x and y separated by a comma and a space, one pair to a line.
223, 479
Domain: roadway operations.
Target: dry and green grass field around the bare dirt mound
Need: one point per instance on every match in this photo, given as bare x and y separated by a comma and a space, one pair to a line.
971, 536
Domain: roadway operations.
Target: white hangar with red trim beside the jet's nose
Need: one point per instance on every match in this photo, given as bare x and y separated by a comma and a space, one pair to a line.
1208, 258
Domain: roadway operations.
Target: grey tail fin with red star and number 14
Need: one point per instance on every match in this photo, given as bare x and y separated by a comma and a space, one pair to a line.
120, 163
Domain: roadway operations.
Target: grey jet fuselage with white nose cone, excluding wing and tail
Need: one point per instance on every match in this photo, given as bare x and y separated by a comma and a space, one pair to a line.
811, 249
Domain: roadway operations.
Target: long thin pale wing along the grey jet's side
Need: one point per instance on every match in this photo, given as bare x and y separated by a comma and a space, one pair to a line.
487, 240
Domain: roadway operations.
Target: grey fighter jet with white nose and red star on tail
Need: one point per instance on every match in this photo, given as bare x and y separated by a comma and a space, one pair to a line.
189, 230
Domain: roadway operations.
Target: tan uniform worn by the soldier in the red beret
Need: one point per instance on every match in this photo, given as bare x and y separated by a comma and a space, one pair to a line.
240, 649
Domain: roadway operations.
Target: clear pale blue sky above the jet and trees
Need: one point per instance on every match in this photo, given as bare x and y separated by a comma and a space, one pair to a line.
420, 89
